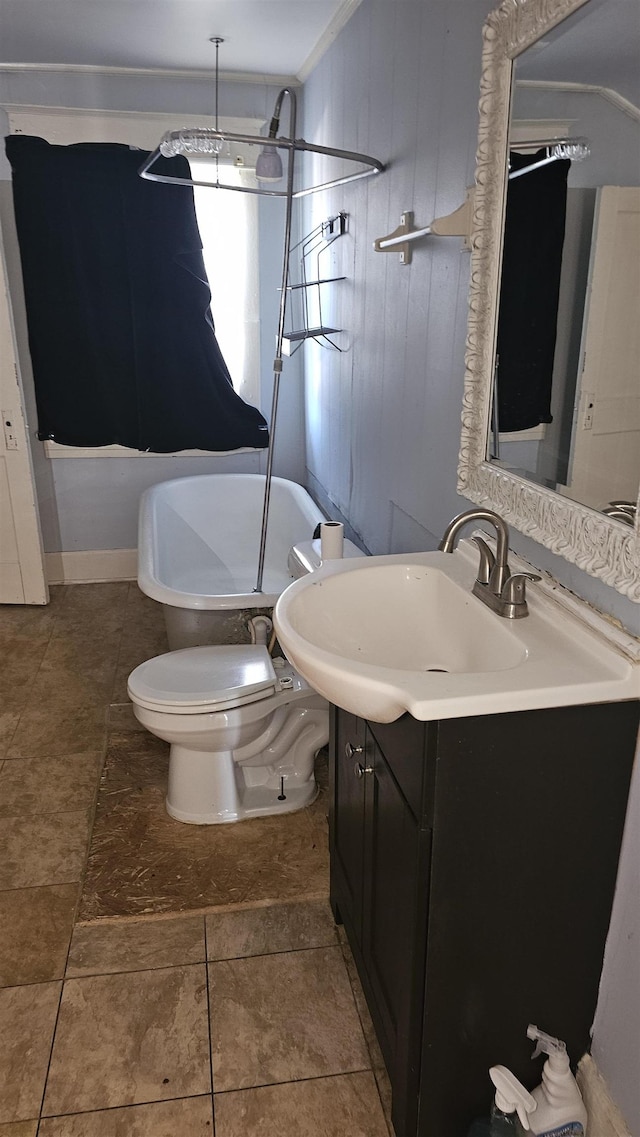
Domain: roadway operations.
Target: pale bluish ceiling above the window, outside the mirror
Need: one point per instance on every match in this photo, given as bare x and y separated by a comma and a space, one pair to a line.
264, 37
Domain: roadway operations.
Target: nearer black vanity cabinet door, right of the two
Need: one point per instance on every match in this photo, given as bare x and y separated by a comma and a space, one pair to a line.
397, 853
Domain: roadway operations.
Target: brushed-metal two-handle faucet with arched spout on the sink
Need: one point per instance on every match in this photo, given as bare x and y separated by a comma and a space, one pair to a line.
495, 586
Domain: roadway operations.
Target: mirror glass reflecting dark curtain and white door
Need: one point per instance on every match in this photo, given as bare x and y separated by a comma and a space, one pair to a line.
567, 406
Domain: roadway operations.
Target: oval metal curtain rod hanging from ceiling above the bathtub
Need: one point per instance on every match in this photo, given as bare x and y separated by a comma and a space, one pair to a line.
201, 143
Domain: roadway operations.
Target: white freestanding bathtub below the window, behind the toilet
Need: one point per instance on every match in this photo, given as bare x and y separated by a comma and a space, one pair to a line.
198, 549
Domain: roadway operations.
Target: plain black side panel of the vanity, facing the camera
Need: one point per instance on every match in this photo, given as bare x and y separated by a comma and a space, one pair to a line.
528, 824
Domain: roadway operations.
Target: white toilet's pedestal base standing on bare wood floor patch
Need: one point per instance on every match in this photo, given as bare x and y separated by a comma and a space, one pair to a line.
212, 790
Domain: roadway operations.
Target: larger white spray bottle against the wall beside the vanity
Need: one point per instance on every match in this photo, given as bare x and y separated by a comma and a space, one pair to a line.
560, 1107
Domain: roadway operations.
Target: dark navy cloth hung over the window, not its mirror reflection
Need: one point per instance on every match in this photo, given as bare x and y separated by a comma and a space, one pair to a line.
121, 333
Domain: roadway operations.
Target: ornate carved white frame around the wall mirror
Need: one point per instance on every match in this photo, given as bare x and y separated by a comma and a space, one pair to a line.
603, 547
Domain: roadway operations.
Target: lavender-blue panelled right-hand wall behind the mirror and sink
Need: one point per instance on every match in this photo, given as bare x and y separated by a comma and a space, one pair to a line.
384, 418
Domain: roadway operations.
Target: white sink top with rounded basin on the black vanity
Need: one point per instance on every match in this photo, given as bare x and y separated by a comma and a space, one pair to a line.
381, 636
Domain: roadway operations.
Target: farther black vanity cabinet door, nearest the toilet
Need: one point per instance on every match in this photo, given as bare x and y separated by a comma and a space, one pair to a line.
347, 820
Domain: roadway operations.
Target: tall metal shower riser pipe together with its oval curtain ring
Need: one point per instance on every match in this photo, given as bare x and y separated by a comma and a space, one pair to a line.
204, 142
